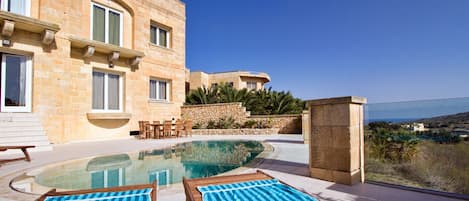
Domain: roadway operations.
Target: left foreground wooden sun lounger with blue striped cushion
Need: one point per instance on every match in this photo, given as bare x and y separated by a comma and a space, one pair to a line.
143, 192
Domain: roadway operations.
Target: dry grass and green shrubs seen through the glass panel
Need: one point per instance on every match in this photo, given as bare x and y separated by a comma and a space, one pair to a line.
437, 161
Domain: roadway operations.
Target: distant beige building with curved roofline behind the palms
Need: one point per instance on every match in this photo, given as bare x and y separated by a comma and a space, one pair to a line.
237, 79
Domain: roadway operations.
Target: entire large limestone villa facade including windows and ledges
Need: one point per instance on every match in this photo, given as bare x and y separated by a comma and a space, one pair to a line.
91, 69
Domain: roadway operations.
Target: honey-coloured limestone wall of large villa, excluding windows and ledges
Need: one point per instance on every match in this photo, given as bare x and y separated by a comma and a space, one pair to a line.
62, 77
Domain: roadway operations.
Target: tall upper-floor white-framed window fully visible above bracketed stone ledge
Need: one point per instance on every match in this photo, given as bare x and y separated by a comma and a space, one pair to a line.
106, 24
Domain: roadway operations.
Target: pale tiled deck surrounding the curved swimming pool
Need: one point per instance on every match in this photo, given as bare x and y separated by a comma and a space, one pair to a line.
288, 162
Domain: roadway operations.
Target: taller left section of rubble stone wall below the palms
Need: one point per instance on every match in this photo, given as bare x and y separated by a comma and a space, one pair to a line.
203, 113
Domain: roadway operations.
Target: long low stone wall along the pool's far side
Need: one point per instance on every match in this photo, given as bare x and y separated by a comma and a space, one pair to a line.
241, 131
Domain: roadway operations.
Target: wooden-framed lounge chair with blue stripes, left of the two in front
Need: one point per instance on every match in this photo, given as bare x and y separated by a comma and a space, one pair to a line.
101, 193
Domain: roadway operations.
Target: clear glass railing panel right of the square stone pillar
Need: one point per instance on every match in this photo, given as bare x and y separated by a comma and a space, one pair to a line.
419, 144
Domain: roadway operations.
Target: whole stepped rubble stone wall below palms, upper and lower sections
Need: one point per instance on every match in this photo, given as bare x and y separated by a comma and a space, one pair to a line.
201, 114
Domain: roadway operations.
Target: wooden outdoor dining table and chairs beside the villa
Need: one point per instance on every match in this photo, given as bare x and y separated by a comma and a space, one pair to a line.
167, 129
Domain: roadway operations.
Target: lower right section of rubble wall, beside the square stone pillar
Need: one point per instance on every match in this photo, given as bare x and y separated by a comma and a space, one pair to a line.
287, 124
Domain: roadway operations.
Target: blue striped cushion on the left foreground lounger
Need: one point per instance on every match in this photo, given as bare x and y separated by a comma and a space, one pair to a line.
130, 195
